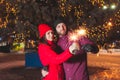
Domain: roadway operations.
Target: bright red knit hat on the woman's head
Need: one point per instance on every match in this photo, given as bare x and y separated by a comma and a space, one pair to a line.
43, 28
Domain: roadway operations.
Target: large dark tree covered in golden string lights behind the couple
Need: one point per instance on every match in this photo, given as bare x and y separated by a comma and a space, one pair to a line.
21, 17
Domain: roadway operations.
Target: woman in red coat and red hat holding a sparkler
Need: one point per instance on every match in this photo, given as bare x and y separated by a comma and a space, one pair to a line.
49, 57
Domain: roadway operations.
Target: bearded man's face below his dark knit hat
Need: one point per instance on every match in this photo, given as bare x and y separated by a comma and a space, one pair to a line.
61, 29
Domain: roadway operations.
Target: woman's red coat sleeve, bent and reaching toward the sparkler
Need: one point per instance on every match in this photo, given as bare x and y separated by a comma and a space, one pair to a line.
48, 56
